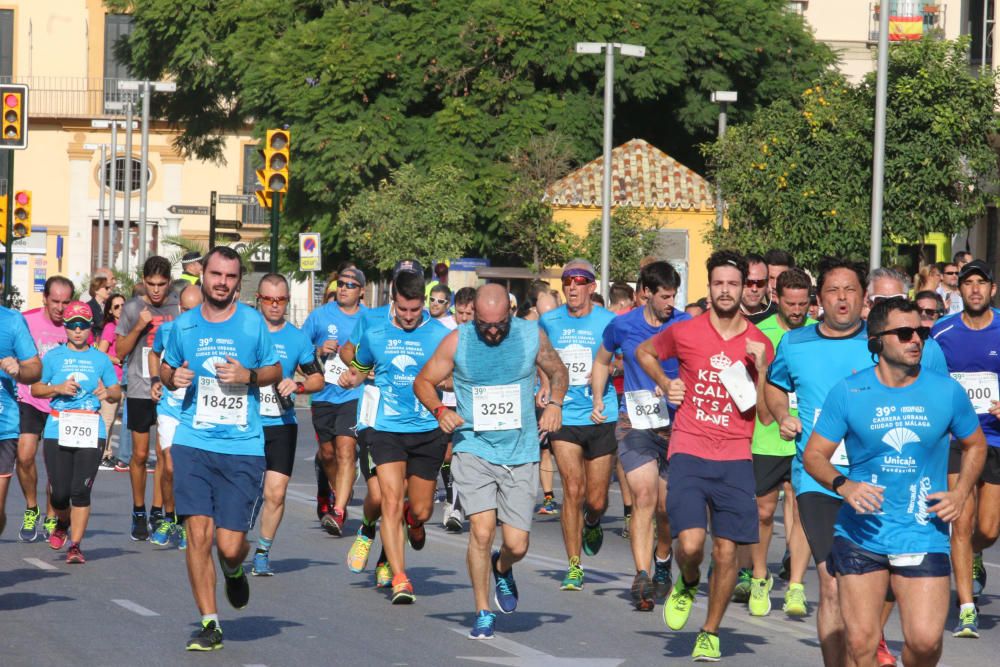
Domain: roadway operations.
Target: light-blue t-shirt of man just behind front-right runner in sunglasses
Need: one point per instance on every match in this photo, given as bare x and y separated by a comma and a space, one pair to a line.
810, 364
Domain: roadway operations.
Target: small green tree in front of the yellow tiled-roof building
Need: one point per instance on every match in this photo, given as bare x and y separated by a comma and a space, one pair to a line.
633, 236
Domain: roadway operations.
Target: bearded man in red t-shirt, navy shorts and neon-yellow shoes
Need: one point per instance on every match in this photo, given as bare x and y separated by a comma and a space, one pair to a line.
723, 359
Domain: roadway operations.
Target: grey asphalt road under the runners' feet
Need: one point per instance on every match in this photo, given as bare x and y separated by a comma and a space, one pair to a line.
130, 604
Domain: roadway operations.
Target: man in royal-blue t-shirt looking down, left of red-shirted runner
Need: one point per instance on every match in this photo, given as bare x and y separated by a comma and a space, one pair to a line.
643, 450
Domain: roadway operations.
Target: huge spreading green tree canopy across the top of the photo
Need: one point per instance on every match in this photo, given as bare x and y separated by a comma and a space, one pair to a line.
368, 86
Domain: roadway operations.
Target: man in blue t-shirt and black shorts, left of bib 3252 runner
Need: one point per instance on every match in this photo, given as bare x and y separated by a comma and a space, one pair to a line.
405, 443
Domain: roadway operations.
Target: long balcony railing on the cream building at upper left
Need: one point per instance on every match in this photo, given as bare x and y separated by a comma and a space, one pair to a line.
73, 97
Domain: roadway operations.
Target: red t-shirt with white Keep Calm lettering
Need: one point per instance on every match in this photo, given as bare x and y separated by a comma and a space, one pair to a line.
708, 424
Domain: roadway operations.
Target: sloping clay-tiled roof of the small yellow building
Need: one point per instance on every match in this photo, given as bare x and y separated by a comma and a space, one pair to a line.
641, 176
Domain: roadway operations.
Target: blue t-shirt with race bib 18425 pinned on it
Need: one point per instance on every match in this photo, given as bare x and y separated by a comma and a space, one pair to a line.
203, 344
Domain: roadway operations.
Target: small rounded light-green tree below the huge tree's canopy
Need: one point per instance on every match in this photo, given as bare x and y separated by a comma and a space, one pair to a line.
411, 215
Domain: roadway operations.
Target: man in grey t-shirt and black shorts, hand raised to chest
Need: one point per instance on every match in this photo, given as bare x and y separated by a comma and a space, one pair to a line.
140, 318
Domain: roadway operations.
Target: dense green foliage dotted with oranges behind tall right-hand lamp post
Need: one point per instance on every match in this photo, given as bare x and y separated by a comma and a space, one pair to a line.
799, 176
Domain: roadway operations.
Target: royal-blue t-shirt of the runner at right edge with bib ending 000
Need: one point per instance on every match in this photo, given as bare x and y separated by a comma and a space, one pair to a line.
972, 351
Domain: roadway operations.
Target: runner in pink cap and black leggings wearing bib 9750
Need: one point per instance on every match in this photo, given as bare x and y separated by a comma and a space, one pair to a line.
76, 377
